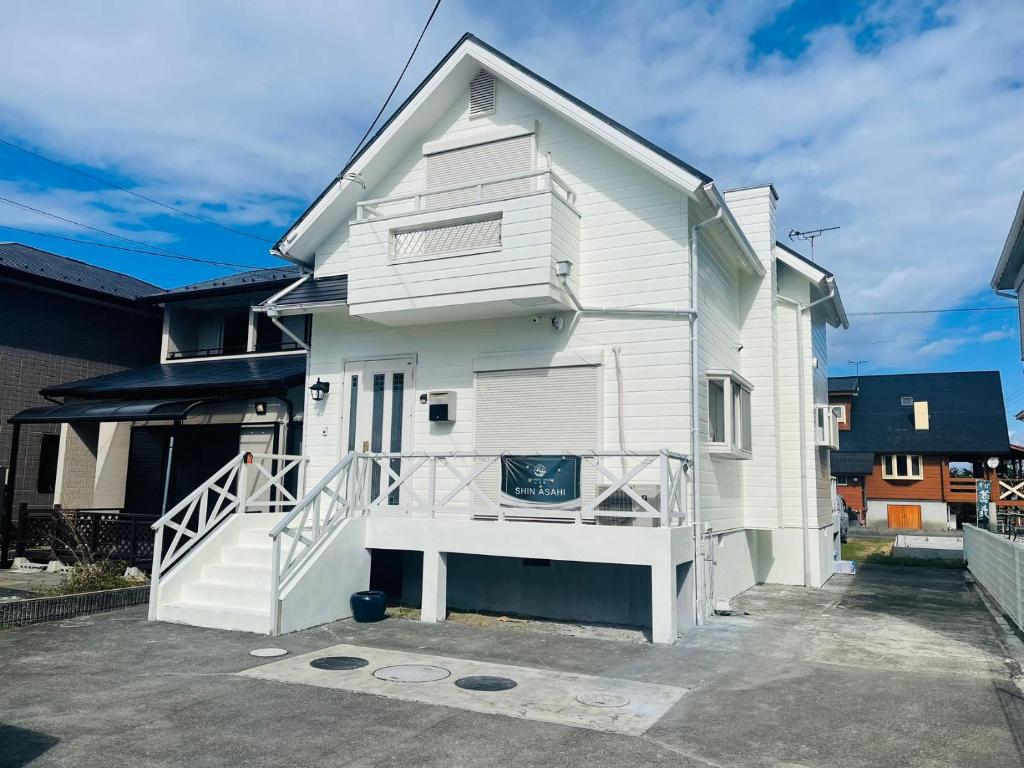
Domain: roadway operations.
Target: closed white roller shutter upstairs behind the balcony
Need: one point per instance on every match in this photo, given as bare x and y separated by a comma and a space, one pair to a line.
471, 164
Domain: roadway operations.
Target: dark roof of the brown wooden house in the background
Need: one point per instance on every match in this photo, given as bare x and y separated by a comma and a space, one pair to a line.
966, 414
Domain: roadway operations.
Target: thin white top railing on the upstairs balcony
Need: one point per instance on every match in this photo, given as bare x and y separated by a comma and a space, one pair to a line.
489, 190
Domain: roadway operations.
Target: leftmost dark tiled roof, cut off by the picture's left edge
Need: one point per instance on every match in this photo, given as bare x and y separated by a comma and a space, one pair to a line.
42, 266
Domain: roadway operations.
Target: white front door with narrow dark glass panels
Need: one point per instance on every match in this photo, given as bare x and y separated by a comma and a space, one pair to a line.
379, 411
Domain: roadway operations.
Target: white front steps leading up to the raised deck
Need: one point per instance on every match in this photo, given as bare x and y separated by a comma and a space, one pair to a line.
232, 589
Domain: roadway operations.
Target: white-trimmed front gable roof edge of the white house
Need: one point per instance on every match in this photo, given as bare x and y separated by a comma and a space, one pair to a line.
429, 102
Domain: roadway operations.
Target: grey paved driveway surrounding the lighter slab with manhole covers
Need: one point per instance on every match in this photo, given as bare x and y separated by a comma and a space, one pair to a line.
894, 667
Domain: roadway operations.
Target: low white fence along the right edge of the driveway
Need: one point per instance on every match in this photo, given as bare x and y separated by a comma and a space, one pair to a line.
998, 565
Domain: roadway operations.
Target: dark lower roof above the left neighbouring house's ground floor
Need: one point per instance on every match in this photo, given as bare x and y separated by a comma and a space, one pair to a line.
242, 376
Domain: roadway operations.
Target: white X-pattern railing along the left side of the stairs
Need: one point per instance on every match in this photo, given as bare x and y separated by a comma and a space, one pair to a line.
249, 483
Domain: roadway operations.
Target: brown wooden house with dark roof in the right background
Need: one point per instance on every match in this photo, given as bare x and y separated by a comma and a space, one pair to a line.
913, 447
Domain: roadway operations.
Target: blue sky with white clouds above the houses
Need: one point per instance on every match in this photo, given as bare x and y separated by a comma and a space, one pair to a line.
900, 122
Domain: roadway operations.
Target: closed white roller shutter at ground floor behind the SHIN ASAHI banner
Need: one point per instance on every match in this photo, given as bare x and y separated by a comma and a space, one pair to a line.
550, 410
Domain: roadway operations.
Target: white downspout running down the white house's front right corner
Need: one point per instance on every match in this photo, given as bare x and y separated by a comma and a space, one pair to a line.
699, 604
